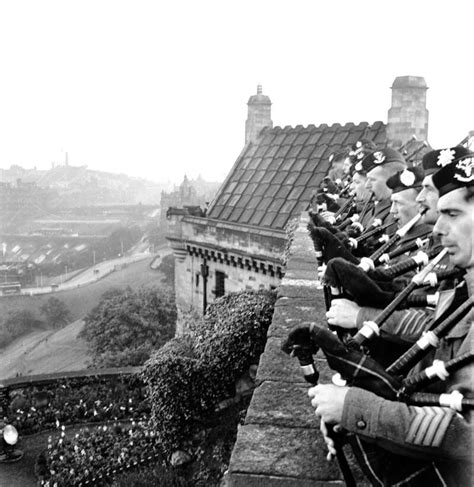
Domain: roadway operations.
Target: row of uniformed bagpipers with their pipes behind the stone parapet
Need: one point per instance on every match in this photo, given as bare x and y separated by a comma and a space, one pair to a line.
395, 245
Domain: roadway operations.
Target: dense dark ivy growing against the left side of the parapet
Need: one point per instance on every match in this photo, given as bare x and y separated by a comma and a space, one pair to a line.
190, 375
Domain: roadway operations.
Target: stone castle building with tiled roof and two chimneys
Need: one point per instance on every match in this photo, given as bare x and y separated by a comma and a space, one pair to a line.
239, 243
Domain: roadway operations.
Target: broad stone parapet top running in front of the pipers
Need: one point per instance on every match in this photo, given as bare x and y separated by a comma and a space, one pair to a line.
280, 444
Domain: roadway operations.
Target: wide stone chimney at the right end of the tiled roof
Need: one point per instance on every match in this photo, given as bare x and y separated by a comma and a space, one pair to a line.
408, 115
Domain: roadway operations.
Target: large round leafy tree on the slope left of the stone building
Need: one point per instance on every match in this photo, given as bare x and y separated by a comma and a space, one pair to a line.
127, 326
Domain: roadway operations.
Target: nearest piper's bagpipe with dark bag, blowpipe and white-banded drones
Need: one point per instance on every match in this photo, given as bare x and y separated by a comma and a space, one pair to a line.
357, 368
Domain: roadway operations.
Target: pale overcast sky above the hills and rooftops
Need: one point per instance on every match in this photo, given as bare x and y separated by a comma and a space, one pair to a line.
159, 89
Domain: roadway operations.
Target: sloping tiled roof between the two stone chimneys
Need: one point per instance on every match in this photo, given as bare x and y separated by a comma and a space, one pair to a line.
273, 179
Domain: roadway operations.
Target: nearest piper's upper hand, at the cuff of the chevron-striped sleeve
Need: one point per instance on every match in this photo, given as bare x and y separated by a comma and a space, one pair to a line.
328, 400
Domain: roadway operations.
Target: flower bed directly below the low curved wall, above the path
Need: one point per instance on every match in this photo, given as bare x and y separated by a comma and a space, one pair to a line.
78, 400
